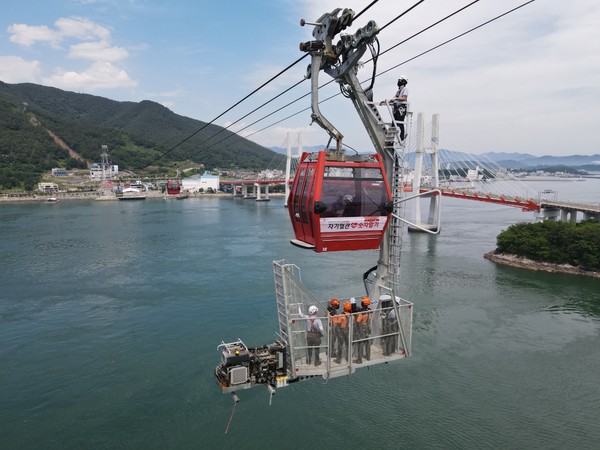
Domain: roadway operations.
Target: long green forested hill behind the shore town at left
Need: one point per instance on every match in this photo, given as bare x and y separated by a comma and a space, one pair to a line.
43, 127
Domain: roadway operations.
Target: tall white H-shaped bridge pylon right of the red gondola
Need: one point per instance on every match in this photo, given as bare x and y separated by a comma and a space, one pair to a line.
429, 182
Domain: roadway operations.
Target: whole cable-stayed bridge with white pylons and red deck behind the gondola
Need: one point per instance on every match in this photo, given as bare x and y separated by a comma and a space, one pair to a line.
430, 173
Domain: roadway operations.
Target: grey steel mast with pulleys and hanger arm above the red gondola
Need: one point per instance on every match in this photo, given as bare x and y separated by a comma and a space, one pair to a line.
341, 61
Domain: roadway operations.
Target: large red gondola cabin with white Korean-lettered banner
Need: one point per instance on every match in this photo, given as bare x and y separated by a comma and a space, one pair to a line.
339, 202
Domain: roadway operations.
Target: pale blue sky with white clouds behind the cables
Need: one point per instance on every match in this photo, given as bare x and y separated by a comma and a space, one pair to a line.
528, 82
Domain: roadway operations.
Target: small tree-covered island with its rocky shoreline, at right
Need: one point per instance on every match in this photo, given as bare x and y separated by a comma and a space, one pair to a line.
550, 246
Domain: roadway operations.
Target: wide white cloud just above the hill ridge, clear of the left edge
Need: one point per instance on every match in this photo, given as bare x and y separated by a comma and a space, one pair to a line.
101, 75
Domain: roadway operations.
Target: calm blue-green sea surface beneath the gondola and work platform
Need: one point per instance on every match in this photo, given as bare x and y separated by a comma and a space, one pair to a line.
111, 313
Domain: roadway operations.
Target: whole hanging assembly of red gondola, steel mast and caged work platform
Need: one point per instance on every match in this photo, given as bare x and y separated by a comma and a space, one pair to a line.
377, 181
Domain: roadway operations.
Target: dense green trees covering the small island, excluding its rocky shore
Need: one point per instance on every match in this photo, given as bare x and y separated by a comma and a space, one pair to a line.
554, 242
